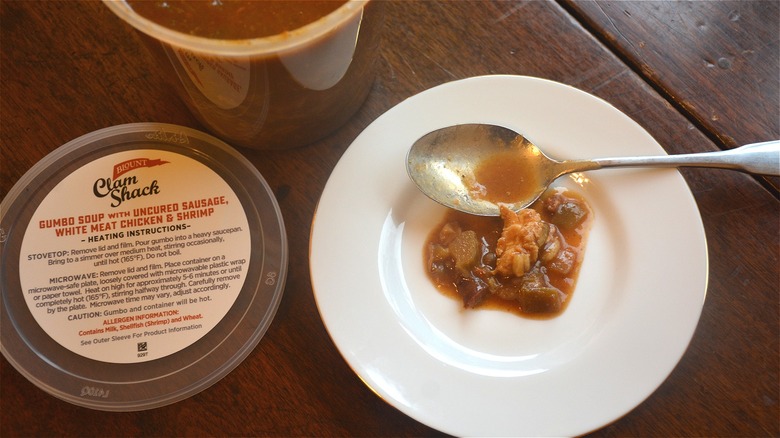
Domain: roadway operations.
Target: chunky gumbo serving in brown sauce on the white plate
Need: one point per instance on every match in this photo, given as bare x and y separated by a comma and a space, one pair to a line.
525, 262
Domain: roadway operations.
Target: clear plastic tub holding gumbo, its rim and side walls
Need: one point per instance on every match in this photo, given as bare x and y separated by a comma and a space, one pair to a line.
272, 92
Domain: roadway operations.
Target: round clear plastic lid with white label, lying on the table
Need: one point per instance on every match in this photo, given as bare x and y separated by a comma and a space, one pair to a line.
140, 264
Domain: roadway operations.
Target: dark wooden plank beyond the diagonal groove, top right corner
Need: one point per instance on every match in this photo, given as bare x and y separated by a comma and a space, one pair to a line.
716, 62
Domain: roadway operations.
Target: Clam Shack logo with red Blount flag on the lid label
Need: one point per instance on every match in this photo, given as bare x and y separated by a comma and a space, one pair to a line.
121, 187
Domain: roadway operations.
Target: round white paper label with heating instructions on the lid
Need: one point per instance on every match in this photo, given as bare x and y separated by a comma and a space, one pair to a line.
137, 266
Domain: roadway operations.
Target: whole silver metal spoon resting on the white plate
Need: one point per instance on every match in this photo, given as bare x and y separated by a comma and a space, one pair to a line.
443, 164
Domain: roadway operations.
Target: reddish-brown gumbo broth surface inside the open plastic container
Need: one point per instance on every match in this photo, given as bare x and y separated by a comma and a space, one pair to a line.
234, 19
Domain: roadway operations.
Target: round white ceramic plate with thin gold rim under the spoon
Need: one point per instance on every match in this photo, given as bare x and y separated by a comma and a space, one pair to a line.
482, 372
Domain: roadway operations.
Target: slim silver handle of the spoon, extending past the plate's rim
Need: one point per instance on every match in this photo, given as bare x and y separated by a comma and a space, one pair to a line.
761, 158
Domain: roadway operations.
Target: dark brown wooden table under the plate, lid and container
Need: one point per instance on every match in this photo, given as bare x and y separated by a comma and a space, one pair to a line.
698, 76
